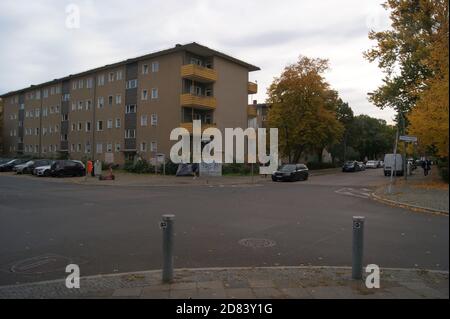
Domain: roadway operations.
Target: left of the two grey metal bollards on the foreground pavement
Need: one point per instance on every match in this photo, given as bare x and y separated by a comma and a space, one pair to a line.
168, 234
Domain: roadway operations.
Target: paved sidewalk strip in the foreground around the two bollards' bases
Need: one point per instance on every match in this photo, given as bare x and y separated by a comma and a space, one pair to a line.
245, 283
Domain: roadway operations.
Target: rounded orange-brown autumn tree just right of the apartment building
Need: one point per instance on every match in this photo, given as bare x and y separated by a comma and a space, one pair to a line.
303, 108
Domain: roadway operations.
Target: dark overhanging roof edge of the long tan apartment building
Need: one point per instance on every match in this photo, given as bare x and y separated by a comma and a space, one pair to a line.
190, 47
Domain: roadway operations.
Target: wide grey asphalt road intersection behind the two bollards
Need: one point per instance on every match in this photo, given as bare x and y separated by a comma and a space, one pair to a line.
105, 229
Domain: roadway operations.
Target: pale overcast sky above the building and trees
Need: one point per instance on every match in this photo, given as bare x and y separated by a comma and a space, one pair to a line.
37, 46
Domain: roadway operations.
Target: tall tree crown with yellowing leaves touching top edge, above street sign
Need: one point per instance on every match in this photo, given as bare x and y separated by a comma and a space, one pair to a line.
401, 53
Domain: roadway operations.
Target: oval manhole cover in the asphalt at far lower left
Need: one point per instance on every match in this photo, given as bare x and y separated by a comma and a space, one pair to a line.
40, 264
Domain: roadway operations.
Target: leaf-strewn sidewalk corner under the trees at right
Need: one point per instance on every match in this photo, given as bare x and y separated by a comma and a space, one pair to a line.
419, 192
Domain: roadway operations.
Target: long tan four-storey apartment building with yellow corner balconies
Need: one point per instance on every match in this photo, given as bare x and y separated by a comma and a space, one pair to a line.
129, 108
